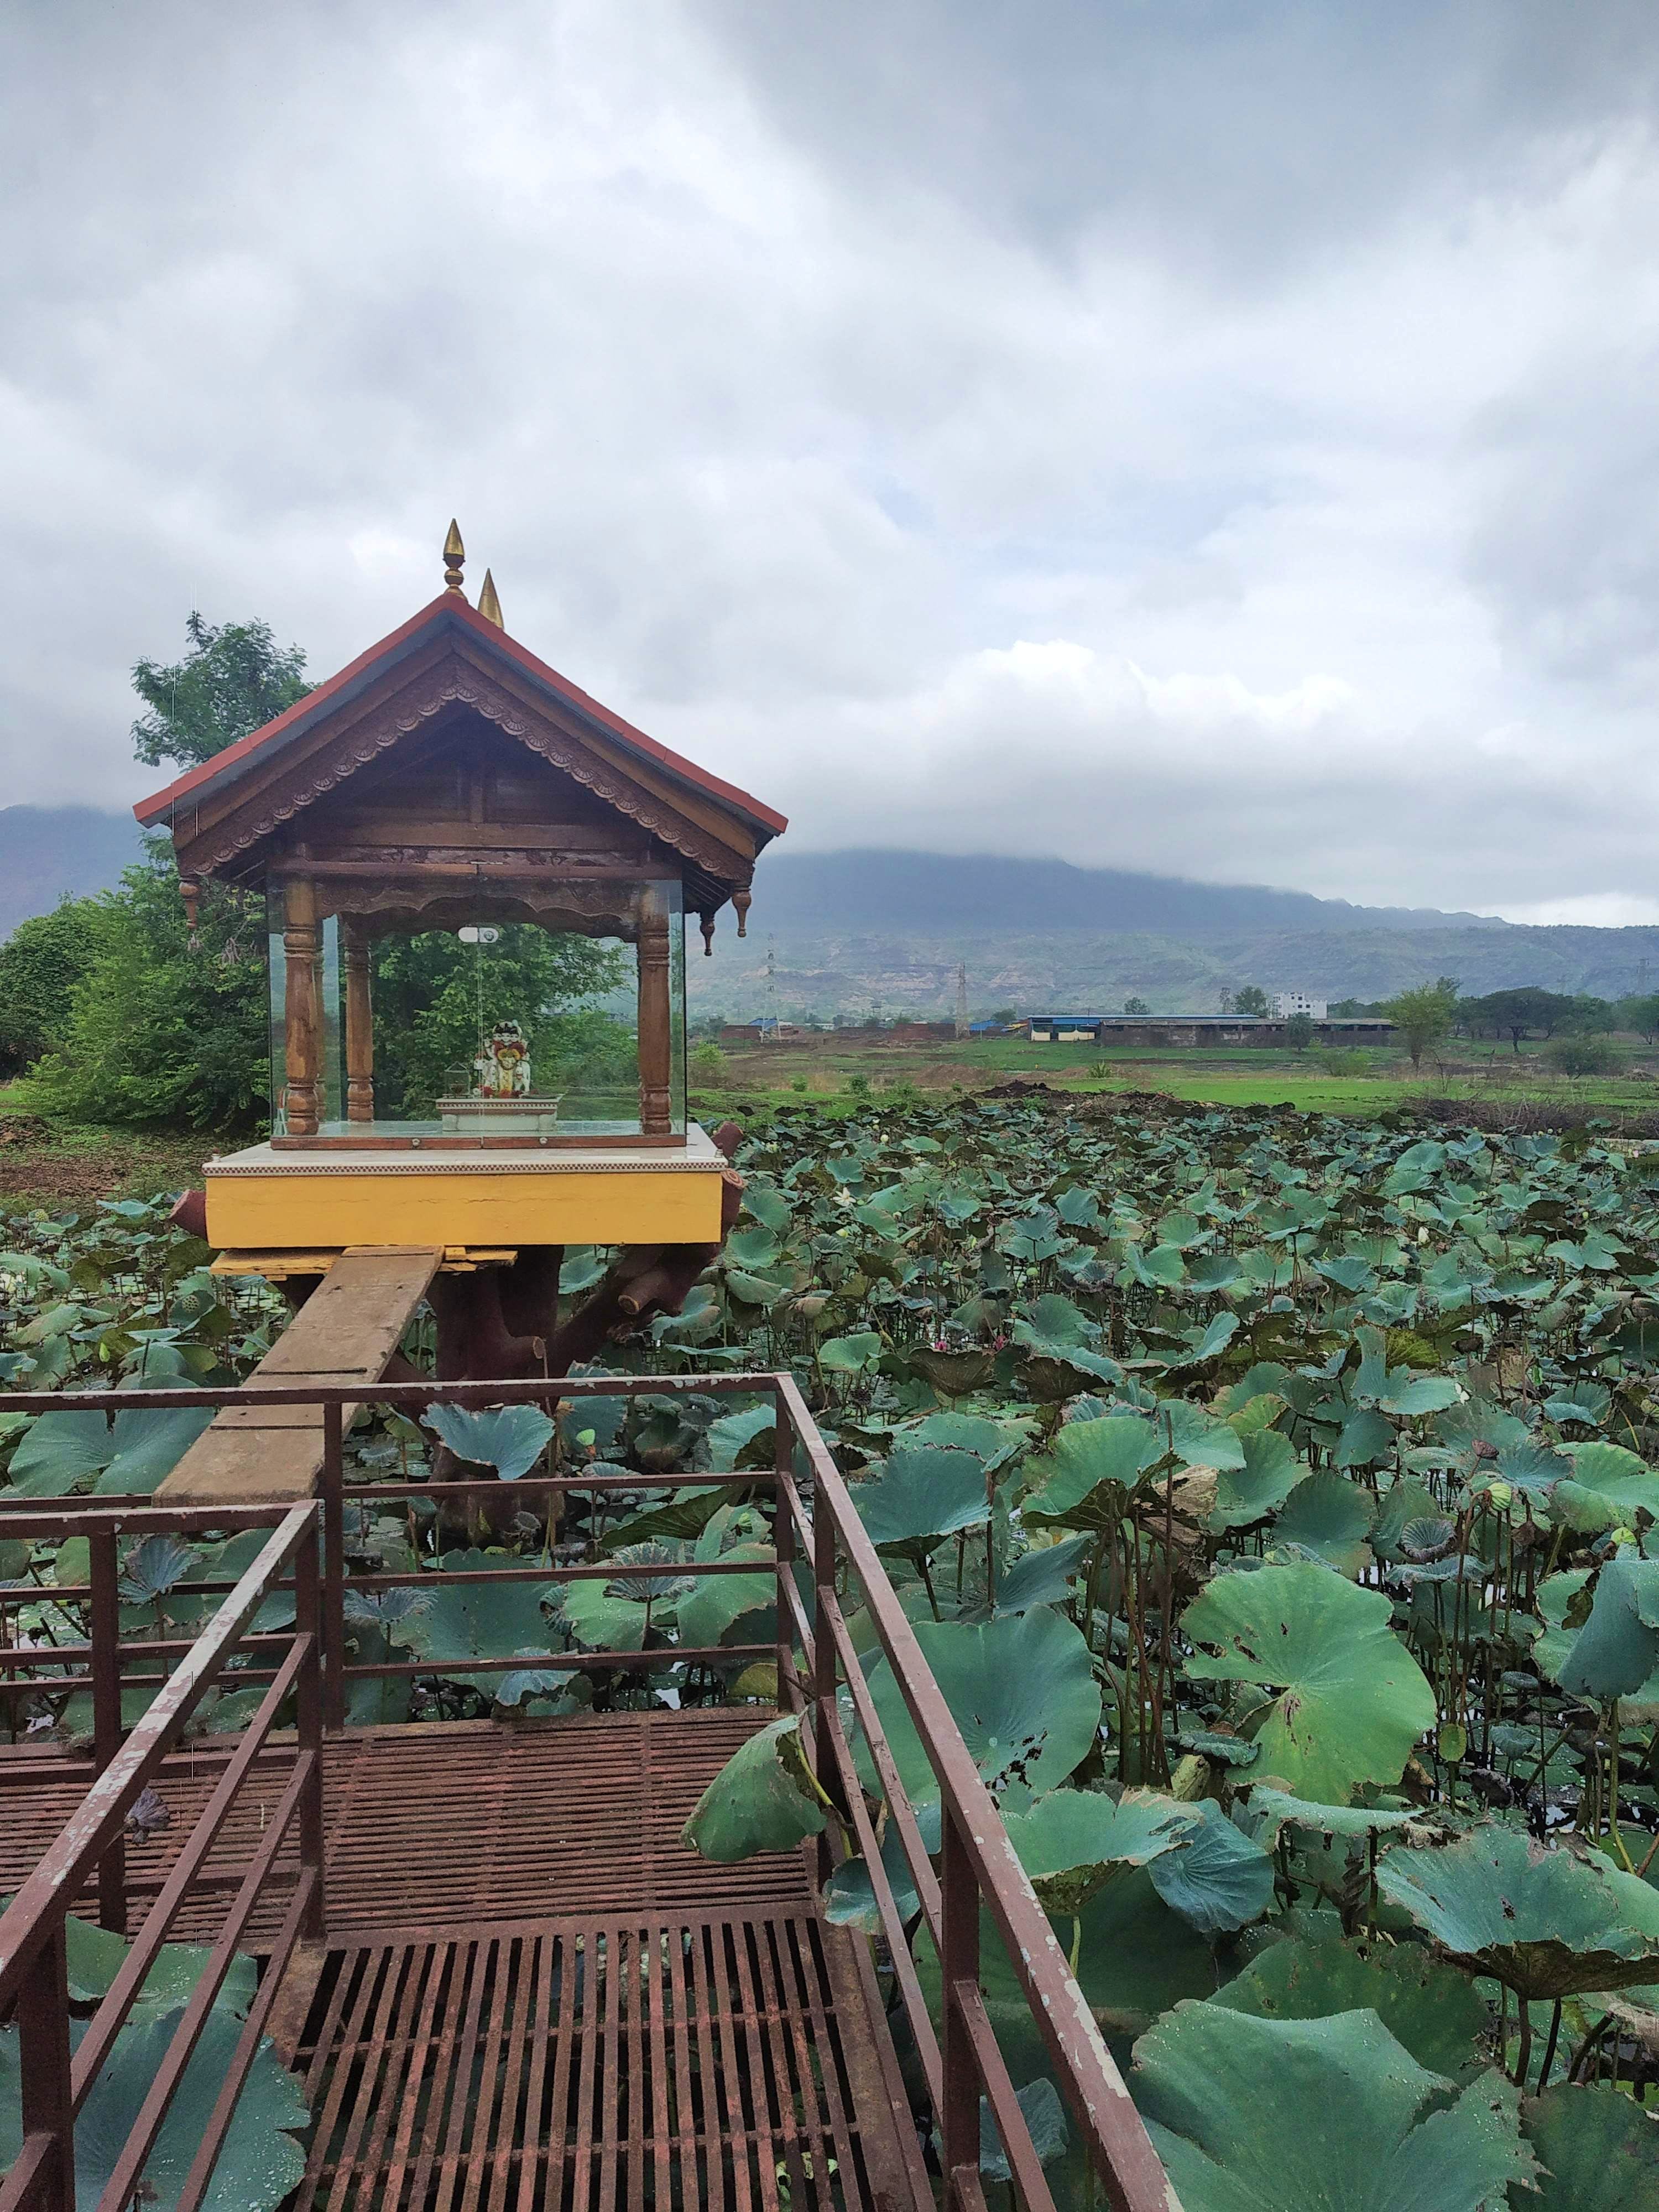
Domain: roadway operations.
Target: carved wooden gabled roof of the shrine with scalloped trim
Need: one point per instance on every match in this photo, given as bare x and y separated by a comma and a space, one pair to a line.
450, 680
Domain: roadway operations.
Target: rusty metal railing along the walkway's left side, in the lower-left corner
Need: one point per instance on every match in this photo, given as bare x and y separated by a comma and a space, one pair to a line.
34, 1965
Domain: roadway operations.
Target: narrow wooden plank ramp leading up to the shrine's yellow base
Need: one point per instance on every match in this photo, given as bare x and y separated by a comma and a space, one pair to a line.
346, 1333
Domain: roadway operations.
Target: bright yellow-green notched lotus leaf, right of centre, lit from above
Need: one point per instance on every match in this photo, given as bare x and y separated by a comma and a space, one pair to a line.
1353, 1700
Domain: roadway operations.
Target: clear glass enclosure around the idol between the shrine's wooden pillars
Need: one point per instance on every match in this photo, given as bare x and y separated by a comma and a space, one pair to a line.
497, 1032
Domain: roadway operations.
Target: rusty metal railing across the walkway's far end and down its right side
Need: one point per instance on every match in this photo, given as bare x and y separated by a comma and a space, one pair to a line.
826, 1550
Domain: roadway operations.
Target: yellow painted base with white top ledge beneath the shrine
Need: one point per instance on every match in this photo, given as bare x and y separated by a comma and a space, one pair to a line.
286, 1202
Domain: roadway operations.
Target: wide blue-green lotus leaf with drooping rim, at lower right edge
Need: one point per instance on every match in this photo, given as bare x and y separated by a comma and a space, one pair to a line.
1536, 1917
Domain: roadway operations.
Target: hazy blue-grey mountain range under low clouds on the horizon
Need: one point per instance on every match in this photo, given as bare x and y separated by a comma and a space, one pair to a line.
875, 930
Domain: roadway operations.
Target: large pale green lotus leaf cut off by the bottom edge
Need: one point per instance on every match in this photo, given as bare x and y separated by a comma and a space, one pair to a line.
1260, 2116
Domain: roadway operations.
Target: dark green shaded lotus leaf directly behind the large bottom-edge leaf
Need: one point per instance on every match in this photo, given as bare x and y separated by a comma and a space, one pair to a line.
1434, 2012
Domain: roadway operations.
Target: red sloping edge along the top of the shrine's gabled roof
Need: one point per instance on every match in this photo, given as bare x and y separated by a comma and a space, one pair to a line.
337, 691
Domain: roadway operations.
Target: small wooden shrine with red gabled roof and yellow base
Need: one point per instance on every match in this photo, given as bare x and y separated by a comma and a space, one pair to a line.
452, 782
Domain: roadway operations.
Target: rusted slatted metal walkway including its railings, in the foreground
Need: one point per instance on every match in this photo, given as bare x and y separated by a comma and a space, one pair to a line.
486, 1950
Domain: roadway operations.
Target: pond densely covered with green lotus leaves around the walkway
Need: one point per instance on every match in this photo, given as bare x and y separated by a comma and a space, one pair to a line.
1273, 1501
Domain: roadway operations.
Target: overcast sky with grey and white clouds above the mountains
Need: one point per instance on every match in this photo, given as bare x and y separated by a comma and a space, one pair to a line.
1215, 437
